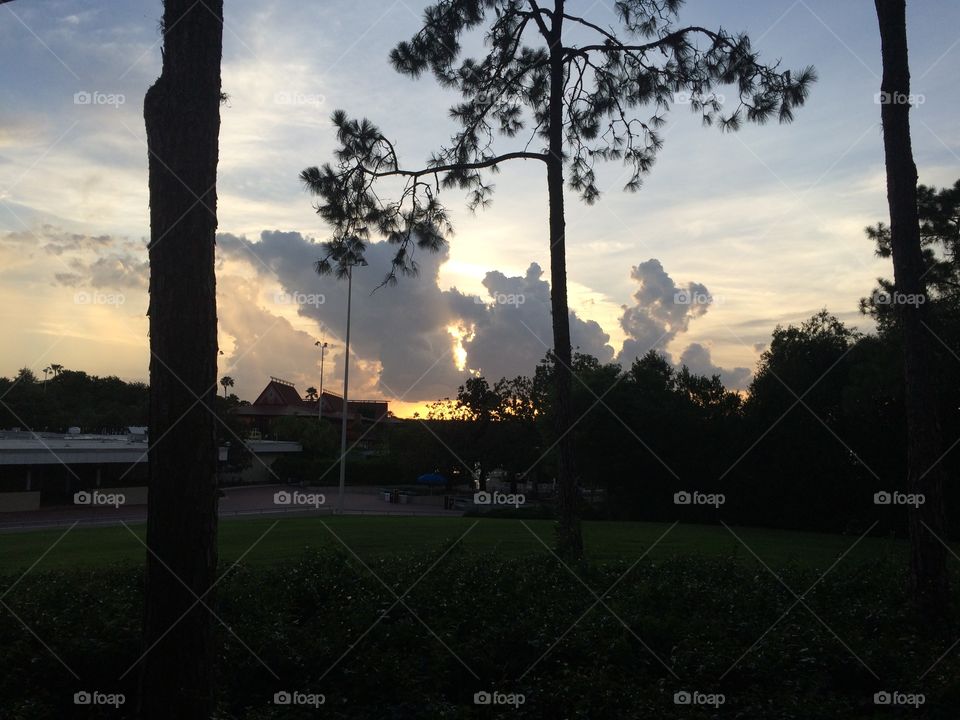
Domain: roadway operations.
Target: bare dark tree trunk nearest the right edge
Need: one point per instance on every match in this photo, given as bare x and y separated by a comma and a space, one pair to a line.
925, 474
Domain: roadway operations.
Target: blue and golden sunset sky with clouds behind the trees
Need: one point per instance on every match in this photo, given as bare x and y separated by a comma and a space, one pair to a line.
731, 234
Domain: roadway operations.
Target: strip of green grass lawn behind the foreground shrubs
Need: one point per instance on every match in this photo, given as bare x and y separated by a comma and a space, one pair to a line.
263, 541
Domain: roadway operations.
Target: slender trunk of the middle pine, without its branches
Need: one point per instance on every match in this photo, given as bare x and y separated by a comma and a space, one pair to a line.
569, 539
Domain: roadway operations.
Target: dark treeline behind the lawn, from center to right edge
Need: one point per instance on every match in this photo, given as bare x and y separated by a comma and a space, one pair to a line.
820, 431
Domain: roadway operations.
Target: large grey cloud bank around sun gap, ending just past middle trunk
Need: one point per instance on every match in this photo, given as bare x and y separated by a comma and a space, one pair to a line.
401, 336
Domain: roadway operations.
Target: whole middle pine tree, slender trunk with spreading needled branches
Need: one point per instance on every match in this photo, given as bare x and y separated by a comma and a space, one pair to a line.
578, 100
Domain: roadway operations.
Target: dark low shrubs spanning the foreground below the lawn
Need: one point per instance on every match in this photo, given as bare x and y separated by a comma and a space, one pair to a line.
326, 625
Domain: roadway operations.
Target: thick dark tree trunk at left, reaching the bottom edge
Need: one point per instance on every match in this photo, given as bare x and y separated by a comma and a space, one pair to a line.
182, 114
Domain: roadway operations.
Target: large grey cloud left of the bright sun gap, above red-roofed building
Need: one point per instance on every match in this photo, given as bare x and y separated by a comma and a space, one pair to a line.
399, 334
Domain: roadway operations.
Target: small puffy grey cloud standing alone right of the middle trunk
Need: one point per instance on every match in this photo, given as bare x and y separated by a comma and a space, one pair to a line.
662, 309
